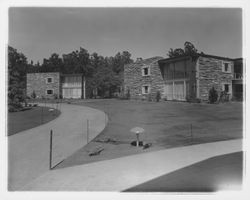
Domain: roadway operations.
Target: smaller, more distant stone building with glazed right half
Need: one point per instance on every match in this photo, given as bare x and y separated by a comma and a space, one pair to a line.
55, 84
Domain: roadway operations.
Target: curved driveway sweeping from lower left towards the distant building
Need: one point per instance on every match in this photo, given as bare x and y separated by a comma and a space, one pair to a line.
28, 151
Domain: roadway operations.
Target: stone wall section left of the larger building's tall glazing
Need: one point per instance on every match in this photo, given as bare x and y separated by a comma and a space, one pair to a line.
134, 80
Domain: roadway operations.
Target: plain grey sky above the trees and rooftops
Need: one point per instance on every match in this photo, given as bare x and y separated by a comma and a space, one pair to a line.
144, 32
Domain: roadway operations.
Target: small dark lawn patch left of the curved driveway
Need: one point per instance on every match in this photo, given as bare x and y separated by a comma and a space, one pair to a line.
23, 120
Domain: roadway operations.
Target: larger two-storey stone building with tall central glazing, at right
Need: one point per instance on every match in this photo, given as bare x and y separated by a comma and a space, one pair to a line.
184, 78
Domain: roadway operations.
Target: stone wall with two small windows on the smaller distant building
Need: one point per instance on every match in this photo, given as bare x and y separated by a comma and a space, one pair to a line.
37, 82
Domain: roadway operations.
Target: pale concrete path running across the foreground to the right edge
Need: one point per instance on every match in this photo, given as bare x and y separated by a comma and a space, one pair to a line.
123, 173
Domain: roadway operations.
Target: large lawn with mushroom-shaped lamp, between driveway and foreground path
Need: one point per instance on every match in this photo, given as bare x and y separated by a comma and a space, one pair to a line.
166, 124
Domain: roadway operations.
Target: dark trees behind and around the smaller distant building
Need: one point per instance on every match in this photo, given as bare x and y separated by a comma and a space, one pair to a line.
102, 73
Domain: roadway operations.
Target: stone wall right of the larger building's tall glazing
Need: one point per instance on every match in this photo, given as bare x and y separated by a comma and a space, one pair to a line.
211, 75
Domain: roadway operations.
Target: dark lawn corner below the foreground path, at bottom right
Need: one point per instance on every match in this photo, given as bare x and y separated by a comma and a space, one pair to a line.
217, 173
